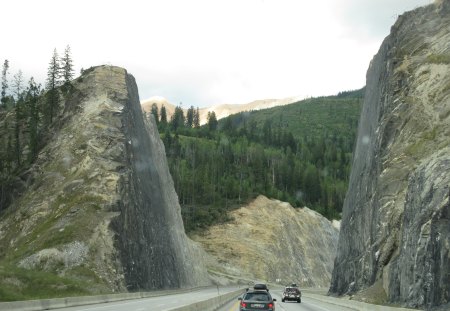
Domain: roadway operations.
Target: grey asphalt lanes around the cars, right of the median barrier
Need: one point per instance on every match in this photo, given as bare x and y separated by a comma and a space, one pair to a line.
307, 304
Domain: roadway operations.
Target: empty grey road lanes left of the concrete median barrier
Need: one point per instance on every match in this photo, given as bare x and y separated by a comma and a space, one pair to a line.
160, 303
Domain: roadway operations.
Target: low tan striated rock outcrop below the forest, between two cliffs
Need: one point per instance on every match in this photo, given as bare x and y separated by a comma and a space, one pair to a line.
271, 241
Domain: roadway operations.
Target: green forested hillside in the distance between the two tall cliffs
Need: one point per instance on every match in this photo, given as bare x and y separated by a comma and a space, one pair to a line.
299, 153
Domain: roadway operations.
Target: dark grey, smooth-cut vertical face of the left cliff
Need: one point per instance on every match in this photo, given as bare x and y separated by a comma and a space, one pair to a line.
155, 251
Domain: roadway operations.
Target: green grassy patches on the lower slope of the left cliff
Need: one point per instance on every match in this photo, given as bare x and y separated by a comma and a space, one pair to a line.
72, 218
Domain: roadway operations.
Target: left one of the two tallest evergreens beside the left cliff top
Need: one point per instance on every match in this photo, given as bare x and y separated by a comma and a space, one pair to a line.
51, 87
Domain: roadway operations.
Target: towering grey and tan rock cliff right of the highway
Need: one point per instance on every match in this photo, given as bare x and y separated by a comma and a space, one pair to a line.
395, 227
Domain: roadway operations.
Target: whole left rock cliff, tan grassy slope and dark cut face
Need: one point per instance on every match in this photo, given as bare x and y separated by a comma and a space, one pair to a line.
100, 206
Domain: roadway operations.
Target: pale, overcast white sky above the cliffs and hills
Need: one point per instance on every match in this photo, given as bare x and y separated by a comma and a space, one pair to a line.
206, 52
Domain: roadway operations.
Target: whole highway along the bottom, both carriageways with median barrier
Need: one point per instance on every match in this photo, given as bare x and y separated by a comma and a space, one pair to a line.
198, 300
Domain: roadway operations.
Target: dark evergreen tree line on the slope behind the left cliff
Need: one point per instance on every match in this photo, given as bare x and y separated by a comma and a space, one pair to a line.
27, 114
